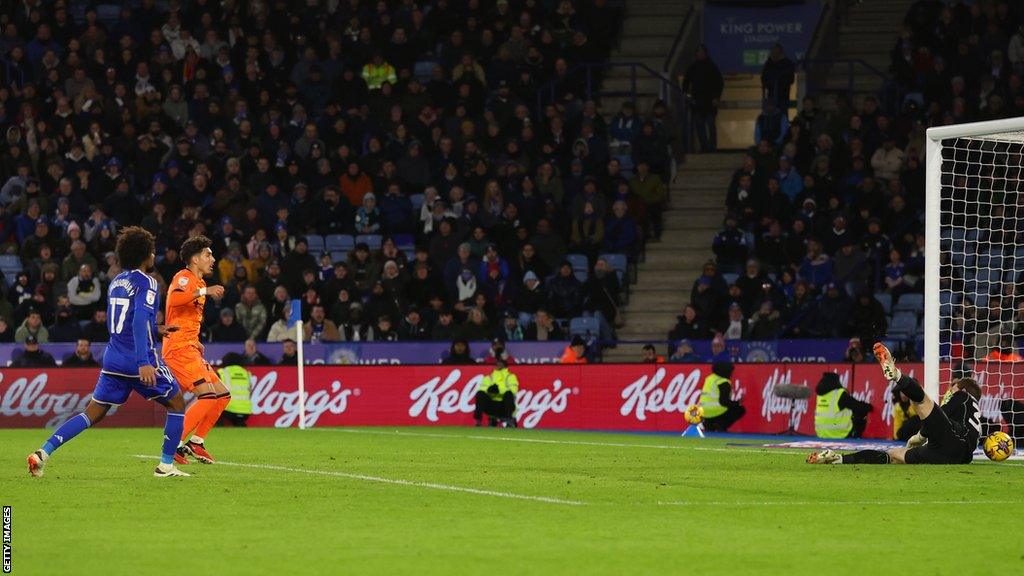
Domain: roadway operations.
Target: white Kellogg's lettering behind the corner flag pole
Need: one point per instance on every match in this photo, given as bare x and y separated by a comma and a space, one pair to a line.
271, 402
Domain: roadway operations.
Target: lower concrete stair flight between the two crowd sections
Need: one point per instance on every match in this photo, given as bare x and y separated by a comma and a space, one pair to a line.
673, 265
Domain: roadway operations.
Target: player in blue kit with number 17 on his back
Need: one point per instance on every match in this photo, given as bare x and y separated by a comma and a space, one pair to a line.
132, 362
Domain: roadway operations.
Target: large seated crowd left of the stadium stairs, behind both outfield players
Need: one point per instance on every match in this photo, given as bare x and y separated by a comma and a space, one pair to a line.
387, 163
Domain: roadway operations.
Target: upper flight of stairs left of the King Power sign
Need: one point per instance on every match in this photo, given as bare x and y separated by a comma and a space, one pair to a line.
650, 29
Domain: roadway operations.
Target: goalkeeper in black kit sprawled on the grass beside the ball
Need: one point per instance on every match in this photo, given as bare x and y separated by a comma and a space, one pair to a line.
949, 435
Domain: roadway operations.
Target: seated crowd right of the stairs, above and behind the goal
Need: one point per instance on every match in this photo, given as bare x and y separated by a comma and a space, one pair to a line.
825, 231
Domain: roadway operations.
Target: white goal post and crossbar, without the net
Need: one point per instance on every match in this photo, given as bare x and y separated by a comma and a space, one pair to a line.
933, 237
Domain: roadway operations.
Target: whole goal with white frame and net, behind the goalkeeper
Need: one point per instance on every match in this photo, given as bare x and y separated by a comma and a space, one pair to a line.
974, 301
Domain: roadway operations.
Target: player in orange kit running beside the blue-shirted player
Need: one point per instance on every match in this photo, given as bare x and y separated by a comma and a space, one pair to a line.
184, 353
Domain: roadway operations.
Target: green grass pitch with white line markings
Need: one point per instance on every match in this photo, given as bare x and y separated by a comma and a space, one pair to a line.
643, 510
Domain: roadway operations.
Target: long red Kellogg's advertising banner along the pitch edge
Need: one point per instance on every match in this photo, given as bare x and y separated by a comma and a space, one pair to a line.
589, 397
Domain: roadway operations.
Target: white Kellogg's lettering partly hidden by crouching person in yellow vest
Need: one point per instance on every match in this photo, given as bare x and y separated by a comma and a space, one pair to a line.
442, 396
